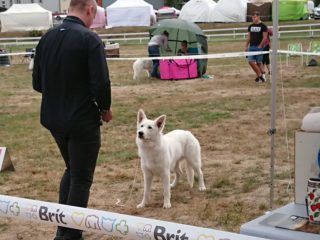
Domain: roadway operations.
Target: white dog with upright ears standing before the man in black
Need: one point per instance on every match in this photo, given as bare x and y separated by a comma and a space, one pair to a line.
161, 154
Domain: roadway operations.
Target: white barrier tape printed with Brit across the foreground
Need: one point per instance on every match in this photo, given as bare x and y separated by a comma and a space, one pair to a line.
109, 223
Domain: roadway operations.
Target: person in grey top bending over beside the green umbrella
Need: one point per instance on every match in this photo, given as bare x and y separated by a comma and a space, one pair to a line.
154, 45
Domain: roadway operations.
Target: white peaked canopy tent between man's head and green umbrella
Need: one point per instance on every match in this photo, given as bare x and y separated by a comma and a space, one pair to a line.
130, 13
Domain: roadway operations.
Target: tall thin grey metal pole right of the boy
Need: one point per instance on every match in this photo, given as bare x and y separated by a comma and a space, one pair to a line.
272, 131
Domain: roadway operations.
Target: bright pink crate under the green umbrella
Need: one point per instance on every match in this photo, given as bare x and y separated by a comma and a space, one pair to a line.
178, 69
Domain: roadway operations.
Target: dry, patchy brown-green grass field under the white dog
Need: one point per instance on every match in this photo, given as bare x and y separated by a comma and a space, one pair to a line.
229, 114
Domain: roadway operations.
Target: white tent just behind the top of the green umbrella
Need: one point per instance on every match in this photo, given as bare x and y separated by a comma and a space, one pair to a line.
198, 11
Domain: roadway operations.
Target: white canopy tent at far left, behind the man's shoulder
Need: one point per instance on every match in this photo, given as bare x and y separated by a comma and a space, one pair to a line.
25, 17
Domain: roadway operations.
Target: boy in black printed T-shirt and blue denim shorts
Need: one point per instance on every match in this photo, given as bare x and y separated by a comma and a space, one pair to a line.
256, 39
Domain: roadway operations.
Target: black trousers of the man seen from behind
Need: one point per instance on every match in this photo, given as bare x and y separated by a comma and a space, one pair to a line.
80, 152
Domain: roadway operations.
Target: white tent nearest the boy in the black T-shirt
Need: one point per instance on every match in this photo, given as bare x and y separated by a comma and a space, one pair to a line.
230, 11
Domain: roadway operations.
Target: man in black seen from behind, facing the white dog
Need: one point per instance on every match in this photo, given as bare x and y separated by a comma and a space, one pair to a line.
71, 72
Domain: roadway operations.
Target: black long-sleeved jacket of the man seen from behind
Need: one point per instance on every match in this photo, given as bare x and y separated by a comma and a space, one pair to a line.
71, 72
